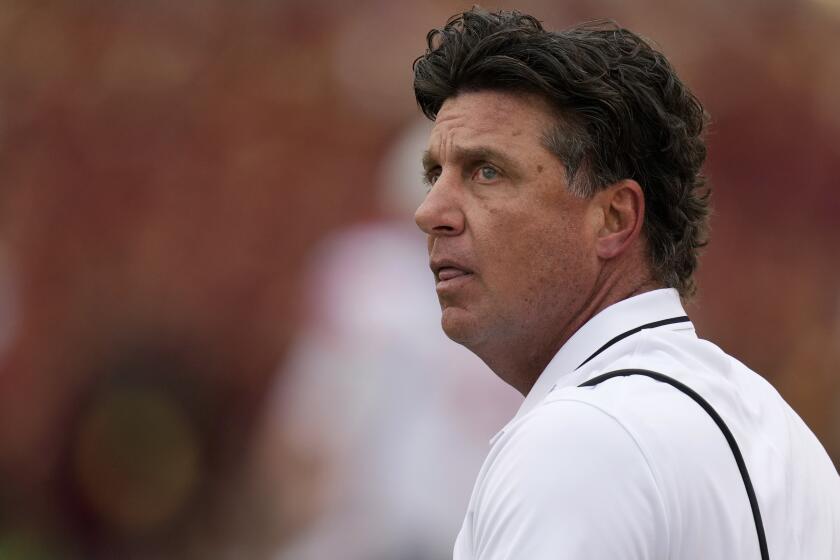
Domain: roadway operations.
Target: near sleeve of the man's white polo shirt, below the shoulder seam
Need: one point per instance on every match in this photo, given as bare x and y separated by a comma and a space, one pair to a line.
560, 479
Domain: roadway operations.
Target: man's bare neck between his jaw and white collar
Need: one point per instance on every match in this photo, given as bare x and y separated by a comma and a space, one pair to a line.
520, 362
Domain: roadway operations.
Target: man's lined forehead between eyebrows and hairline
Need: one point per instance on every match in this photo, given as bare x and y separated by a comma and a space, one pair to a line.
477, 118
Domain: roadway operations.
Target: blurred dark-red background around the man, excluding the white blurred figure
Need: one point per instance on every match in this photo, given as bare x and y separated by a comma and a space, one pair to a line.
167, 167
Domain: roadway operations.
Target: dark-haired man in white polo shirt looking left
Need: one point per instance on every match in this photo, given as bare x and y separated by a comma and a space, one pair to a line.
564, 216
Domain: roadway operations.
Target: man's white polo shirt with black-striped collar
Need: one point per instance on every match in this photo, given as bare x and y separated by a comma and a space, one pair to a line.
635, 469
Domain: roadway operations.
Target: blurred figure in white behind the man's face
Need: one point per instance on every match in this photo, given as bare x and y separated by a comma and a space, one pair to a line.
399, 413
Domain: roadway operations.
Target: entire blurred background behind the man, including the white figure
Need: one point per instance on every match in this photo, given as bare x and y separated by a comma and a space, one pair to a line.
218, 334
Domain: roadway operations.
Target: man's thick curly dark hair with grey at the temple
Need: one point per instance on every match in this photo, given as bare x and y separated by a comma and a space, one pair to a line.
622, 114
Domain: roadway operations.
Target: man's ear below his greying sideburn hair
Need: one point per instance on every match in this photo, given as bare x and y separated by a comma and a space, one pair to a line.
623, 207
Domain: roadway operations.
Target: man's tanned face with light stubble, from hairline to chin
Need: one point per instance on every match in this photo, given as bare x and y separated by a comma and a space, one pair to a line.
511, 249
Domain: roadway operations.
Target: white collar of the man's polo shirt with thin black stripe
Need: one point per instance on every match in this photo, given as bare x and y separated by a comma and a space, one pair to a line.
610, 322
